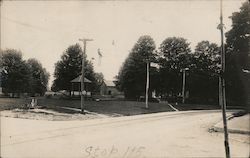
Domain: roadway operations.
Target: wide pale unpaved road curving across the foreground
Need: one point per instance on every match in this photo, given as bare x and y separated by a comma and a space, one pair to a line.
169, 134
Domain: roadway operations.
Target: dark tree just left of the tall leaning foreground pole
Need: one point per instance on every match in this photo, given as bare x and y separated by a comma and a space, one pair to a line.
203, 76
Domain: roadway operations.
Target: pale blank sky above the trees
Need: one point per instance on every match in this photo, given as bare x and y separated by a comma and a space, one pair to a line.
44, 29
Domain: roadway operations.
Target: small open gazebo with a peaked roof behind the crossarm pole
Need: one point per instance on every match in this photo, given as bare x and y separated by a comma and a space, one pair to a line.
76, 85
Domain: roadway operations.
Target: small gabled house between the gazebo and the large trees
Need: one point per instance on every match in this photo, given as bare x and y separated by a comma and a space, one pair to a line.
109, 88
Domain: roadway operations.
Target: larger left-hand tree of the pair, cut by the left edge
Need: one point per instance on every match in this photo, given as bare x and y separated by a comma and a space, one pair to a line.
16, 75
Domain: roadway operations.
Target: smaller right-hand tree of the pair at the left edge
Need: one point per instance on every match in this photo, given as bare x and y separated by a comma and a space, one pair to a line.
39, 77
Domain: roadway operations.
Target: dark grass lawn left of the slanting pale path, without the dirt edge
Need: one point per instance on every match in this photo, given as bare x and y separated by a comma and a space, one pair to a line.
108, 108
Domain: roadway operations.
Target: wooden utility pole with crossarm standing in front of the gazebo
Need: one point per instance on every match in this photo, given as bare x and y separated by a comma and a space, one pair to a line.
84, 40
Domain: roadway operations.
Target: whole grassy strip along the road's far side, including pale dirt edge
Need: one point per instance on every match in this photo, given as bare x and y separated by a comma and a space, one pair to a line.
51, 109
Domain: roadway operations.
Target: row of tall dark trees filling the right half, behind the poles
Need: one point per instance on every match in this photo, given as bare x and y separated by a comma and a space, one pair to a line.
174, 54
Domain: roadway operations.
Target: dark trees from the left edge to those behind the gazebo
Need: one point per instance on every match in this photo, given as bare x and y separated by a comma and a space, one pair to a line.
20, 76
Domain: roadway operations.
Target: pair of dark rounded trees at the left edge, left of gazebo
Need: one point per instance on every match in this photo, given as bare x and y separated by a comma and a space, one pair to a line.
20, 76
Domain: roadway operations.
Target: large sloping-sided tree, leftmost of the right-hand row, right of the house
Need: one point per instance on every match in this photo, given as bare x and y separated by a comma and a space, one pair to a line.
132, 75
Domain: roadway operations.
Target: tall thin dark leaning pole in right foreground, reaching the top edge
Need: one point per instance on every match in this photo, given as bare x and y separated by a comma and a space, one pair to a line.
222, 95
